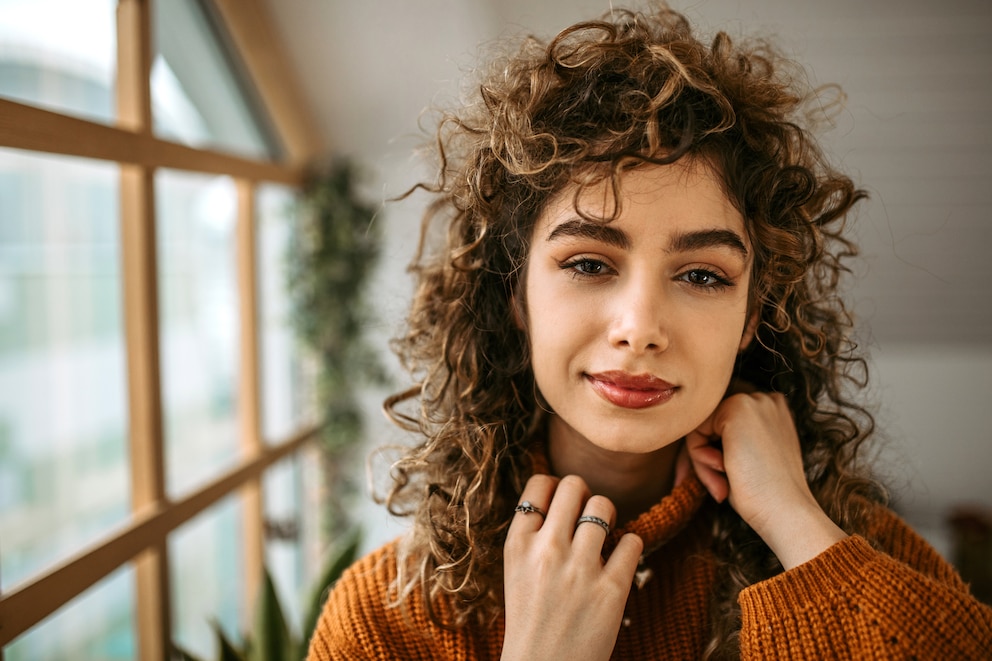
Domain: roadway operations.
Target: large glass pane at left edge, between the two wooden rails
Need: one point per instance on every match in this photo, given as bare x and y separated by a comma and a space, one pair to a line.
63, 412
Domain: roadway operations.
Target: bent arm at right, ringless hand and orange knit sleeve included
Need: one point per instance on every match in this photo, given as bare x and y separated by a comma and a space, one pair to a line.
839, 598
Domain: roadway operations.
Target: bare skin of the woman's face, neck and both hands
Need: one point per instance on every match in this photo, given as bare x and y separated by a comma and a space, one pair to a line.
640, 300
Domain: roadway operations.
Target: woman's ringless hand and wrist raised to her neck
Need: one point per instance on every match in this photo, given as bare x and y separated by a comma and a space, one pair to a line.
758, 465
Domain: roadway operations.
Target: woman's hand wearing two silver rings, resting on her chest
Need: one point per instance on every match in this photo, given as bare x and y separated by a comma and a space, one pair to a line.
562, 600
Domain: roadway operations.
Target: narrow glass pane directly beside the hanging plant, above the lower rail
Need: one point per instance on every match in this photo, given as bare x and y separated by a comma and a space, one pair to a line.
287, 380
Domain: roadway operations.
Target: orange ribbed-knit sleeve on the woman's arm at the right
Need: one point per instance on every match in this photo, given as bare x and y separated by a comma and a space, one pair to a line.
855, 602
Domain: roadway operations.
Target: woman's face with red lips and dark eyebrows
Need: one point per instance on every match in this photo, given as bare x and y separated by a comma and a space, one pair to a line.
635, 324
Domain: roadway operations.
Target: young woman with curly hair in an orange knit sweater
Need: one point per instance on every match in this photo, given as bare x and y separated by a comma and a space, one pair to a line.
634, 384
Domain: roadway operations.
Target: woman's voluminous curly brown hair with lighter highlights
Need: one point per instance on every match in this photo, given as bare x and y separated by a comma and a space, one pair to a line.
600, 98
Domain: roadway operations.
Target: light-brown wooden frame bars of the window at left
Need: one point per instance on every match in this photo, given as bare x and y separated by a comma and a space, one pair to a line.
132, 145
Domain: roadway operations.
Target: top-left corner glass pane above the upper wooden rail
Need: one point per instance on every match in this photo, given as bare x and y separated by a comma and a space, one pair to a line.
60, 54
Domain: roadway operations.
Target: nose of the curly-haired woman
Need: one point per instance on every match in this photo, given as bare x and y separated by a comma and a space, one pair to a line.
639, 319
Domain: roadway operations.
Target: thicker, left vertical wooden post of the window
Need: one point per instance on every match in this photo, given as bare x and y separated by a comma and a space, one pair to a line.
141, 326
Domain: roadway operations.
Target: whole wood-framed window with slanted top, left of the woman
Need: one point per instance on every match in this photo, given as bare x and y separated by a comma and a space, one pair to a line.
154, 420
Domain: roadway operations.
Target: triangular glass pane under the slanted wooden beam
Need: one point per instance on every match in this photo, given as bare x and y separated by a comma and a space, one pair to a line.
197, 96
